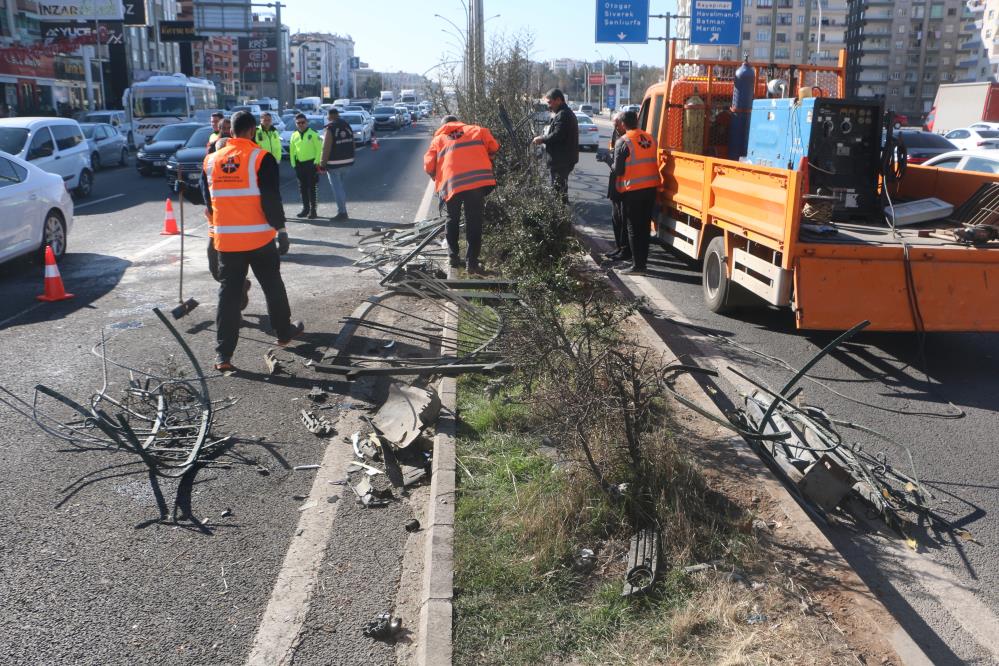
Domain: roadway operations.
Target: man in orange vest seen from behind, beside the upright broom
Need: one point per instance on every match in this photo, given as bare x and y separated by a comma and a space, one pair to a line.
242, 191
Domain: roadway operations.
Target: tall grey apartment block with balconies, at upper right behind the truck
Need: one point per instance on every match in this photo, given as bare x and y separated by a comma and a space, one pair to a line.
901, 50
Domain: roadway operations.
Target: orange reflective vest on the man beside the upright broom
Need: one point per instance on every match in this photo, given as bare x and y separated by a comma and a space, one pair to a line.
238, 220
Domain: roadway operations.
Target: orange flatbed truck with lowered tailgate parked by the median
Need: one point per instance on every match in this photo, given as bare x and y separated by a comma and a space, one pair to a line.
745, 223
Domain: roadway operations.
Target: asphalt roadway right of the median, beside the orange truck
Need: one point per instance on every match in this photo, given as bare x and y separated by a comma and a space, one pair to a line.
940, 401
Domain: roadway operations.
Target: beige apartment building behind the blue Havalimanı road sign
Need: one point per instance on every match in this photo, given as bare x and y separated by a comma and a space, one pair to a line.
781, 31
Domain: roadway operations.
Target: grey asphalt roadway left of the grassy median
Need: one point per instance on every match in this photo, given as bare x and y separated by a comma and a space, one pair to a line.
89, 574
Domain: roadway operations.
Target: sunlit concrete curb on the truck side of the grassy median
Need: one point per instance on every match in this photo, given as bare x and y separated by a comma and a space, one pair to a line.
866, 608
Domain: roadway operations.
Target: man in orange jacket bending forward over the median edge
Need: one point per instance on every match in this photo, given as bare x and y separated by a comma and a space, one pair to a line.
460, 160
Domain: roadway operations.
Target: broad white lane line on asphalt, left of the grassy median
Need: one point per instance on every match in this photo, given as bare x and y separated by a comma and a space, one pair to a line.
284, 617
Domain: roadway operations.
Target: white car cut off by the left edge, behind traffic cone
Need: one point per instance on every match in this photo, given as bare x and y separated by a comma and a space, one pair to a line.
35, 209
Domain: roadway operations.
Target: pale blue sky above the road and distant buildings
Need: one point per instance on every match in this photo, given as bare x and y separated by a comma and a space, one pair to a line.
401, 35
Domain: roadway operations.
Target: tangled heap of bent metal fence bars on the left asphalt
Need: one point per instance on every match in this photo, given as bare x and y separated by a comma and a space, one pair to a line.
166, 421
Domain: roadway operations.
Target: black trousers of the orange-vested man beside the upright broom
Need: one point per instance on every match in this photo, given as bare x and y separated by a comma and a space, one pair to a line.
233, 266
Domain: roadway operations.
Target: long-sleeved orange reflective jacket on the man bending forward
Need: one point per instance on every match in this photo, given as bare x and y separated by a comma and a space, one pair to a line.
459, 158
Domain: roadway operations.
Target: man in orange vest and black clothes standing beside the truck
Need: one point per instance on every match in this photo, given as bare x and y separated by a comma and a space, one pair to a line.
637, 179
